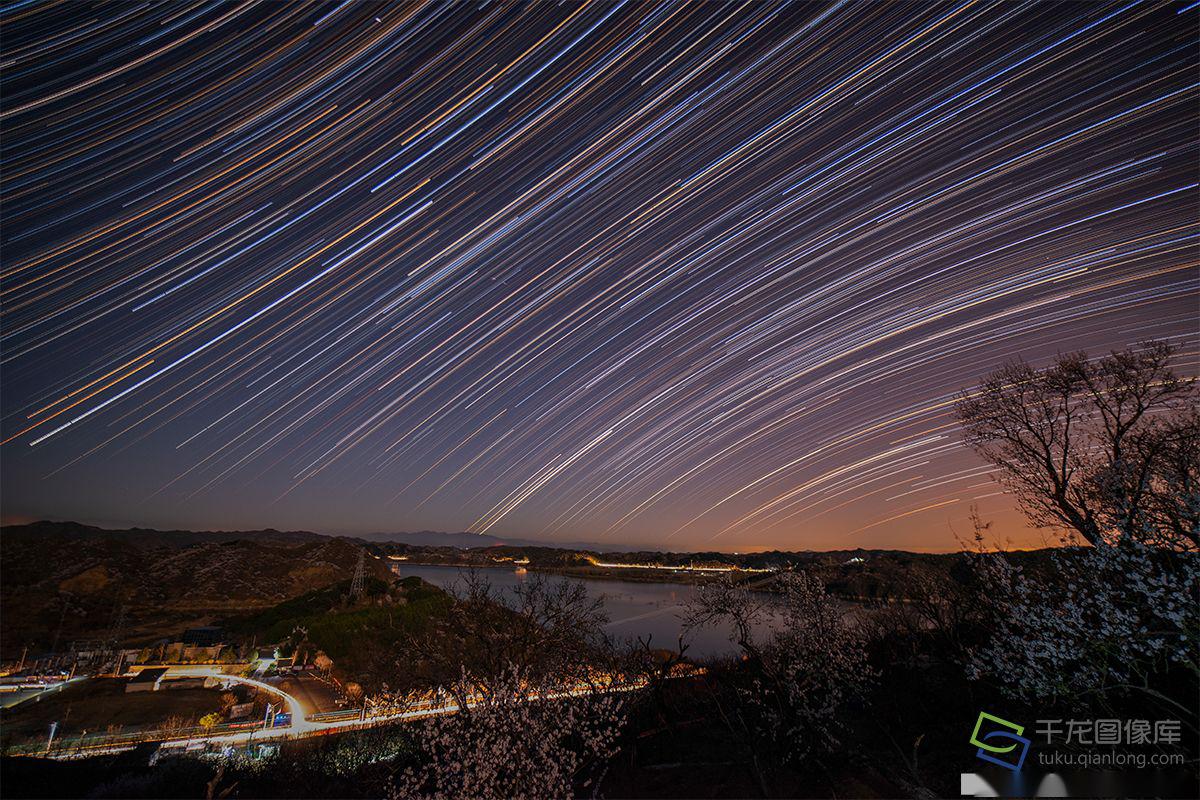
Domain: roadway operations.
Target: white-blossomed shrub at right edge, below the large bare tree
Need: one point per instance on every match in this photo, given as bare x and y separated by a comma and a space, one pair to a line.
1107, 617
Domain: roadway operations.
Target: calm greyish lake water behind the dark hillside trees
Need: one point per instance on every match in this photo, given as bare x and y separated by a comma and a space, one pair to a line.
635, 610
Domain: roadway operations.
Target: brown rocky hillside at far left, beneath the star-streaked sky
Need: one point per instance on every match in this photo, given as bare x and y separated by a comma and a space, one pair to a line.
70, 582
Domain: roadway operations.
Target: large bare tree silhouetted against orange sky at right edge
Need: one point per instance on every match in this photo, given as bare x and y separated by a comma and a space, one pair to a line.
1107, 448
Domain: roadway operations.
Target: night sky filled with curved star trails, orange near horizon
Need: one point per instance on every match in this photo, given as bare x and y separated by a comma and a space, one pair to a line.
687, 275
